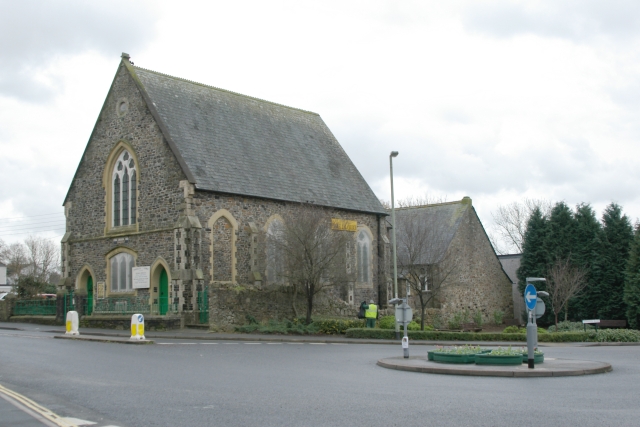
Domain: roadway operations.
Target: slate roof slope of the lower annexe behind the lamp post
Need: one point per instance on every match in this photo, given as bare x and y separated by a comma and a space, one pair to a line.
442, 220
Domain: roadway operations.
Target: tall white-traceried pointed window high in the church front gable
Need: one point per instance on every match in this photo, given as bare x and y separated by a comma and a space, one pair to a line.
124, 190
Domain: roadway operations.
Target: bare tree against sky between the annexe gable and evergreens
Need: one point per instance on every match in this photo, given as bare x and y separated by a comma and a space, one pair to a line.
511, 223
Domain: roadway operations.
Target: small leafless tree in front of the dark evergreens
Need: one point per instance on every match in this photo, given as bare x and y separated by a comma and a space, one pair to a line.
565, 282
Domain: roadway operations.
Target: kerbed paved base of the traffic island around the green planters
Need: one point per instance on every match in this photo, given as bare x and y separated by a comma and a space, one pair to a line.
550, 368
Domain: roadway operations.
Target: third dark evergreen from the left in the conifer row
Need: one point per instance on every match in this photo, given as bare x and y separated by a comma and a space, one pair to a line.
586, 254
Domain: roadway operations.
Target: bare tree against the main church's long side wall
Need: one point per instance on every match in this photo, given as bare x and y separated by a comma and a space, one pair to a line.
314, 254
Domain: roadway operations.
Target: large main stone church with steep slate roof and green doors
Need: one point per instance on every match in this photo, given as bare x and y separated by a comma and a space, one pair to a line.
176, 196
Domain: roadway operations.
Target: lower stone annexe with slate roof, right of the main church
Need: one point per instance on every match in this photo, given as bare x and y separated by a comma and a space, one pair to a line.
471, 278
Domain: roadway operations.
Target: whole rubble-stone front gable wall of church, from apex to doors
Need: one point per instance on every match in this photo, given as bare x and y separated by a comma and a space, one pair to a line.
160, 198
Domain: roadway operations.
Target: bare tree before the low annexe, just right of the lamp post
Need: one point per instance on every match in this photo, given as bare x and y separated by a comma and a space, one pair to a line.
424, 258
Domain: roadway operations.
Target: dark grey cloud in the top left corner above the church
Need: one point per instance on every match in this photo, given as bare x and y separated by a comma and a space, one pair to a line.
33, 33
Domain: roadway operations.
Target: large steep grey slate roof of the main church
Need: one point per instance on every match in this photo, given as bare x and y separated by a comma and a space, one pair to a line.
232, 143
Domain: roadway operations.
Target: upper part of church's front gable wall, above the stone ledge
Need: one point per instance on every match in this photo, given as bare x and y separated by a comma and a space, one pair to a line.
125, 117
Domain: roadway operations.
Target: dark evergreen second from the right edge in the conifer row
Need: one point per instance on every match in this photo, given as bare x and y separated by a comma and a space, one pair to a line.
617, 238
